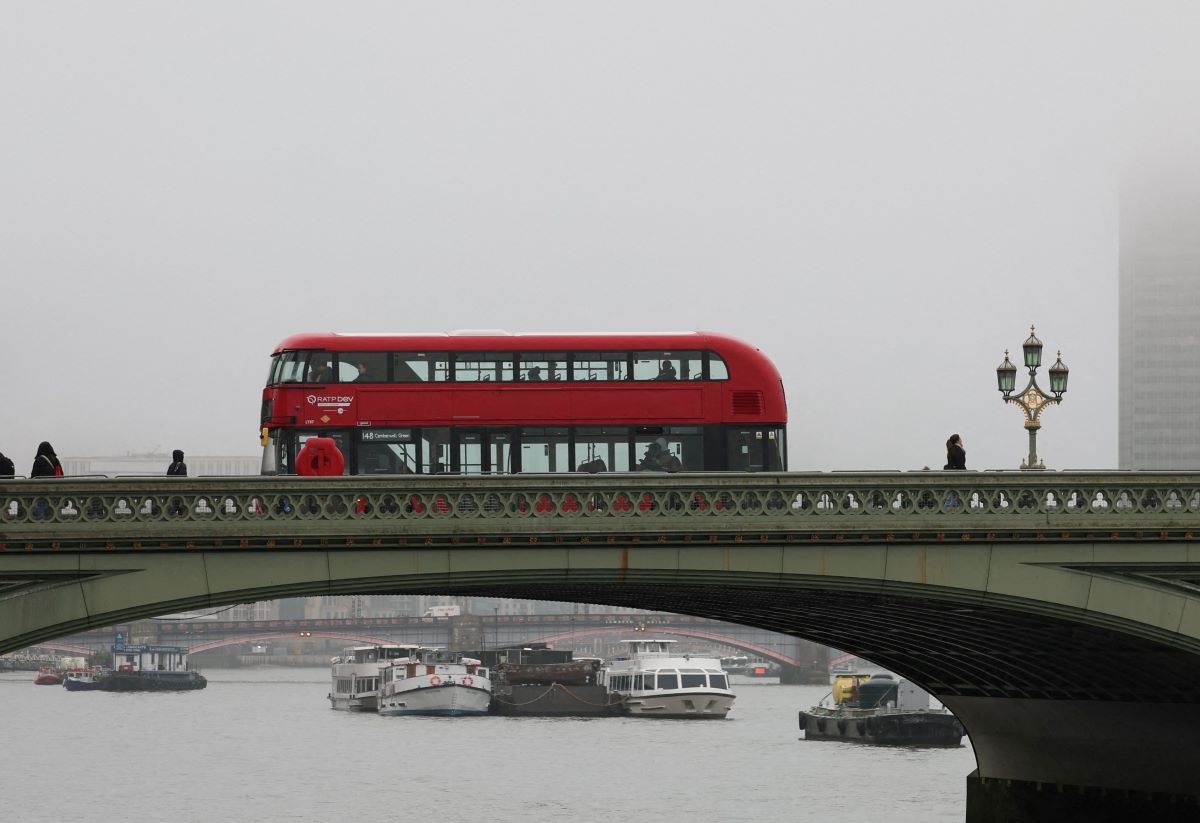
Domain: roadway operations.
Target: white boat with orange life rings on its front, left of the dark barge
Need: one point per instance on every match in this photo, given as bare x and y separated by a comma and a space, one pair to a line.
435, 682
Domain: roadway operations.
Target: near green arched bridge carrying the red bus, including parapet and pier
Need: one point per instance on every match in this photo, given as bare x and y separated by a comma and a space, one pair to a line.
1057, 614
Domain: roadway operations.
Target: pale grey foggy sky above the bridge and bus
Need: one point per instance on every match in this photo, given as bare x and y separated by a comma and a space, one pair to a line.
881, 196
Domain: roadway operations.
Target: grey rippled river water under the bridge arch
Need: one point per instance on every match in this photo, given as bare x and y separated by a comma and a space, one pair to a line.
265, 746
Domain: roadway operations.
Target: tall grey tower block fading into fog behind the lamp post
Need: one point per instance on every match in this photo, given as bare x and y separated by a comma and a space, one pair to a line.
1160, 381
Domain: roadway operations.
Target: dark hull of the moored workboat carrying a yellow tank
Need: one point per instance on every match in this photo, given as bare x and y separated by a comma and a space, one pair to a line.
884, 728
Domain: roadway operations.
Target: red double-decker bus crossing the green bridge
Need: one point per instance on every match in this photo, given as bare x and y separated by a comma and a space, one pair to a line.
495, 403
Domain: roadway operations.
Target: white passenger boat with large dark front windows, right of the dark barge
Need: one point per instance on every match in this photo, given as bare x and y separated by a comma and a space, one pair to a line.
658, 682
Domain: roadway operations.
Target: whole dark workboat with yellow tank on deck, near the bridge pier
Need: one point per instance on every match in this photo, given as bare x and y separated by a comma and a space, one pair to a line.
881, 710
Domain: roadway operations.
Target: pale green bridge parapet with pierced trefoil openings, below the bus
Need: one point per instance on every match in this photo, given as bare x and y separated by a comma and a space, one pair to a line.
91, 513
